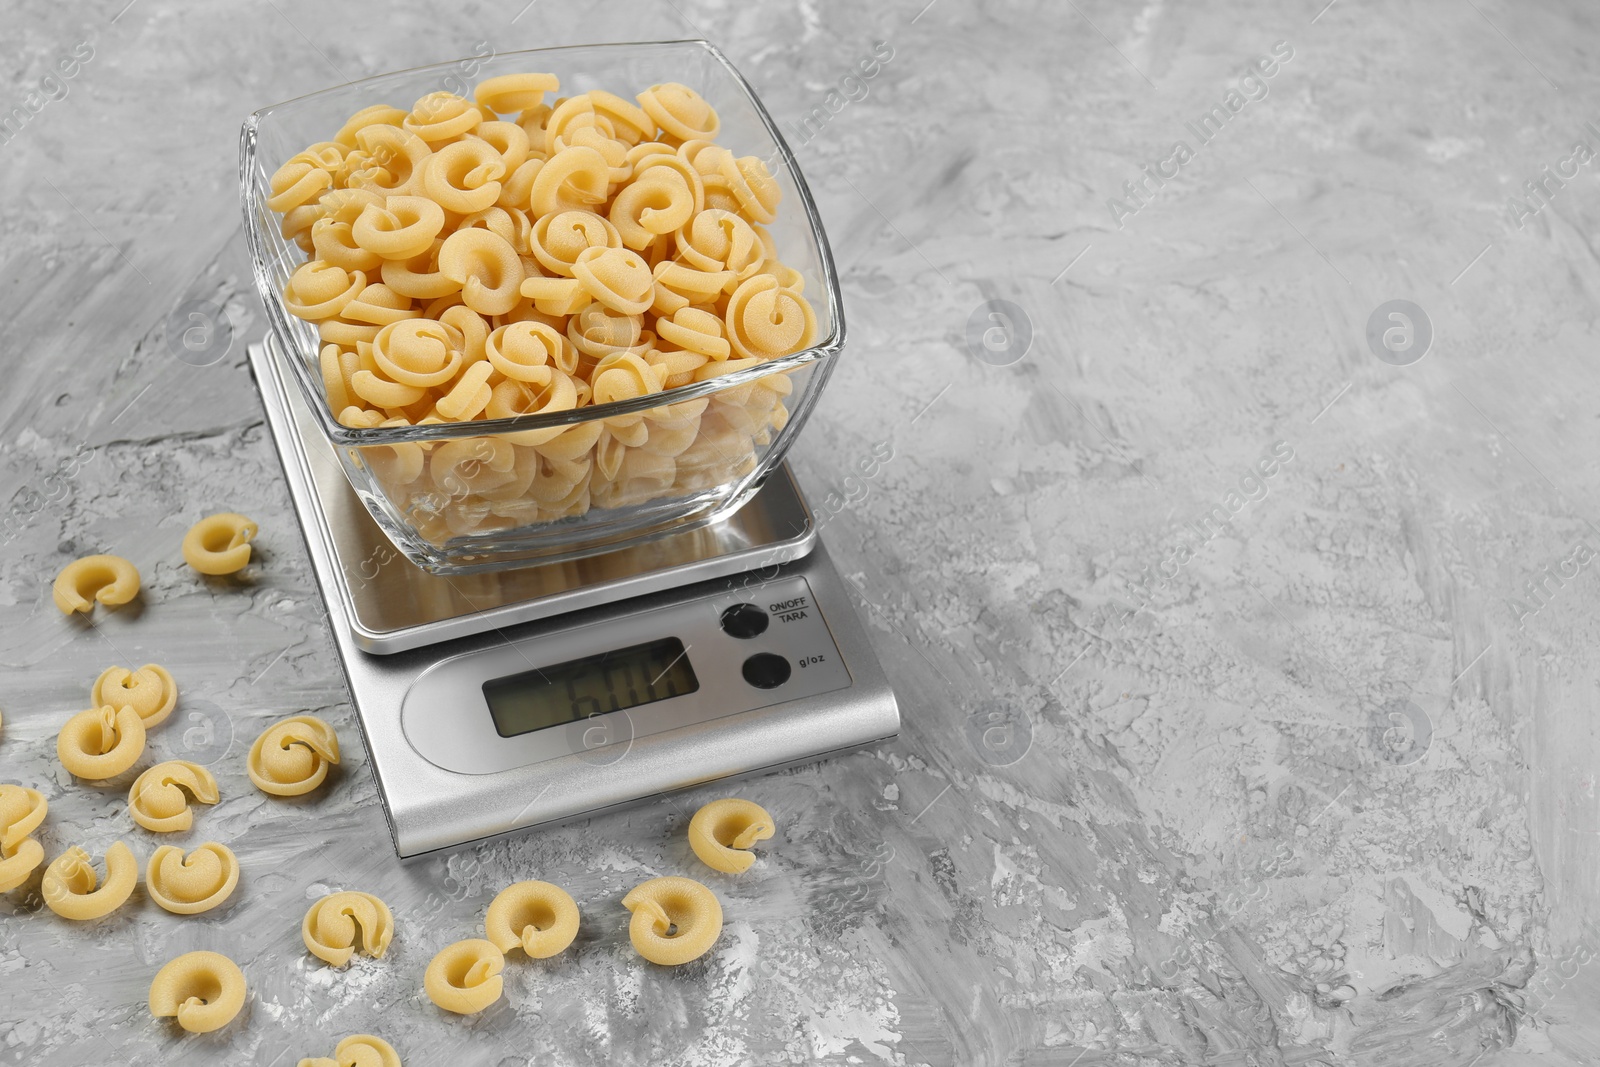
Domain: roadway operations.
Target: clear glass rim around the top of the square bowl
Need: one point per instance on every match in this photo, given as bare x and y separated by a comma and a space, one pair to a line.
340, 434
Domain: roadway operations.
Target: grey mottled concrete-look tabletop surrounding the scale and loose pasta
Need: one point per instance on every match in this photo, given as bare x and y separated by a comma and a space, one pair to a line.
1199, 765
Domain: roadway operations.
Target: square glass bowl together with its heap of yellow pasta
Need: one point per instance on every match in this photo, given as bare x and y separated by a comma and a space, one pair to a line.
546, 303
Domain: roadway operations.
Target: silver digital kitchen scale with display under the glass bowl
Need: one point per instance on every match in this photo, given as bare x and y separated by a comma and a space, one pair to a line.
498, 701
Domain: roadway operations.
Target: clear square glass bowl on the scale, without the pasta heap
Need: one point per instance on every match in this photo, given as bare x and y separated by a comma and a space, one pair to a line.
543, 489
